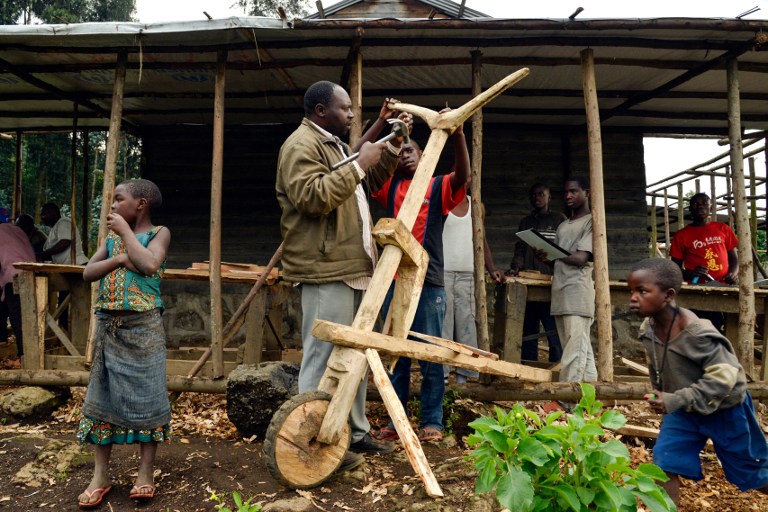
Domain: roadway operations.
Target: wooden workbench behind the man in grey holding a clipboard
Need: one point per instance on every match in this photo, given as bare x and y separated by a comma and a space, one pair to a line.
517, 291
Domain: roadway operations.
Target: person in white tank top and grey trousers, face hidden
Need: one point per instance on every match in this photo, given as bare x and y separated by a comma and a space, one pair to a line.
459, 275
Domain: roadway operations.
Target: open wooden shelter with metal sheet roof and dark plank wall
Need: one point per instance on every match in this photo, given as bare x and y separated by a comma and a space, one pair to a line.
192, 89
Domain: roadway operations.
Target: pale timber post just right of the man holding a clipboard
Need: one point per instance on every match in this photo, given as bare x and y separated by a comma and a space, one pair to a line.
599, 243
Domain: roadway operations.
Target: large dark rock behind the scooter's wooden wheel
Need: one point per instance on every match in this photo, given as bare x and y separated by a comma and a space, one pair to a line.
255, 392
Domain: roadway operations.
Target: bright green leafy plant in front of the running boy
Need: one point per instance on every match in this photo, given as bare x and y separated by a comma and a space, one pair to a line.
537, 465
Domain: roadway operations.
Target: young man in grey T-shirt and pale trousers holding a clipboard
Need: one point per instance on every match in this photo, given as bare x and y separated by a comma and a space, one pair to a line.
573, 286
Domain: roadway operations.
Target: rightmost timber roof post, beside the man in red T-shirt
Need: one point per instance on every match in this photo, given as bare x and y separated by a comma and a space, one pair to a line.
745, 346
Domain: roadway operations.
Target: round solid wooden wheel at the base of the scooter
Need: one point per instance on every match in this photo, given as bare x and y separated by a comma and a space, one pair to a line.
292, 453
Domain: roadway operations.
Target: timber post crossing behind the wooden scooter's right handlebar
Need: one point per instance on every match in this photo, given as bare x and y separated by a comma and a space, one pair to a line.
478, 230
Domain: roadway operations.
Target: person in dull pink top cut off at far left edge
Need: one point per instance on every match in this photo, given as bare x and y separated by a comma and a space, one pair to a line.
14, 246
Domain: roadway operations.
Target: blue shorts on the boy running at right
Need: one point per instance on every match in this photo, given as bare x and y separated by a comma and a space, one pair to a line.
738, 440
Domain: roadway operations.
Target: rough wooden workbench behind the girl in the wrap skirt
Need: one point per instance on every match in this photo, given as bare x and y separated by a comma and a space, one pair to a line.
39, 281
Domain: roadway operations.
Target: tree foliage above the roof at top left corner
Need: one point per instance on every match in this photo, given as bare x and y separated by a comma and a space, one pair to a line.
65, 11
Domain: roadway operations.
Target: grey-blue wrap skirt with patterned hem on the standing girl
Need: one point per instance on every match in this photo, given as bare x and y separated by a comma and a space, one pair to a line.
127, 387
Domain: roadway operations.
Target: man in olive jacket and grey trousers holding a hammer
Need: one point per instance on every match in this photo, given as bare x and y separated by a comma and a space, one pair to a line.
326, 229
